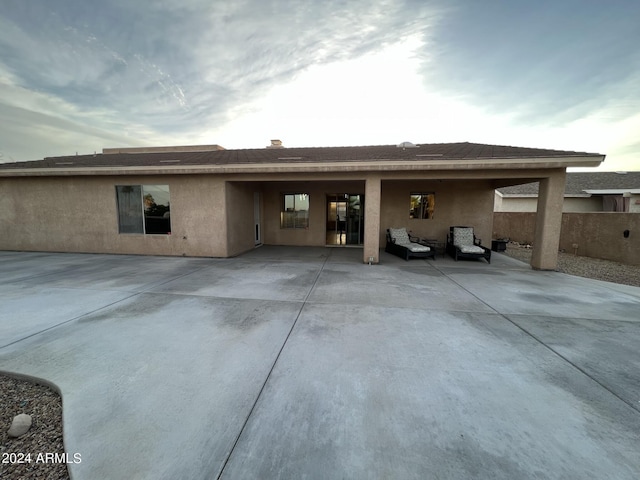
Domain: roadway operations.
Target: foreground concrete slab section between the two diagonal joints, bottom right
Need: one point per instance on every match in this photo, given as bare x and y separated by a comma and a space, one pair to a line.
400, 393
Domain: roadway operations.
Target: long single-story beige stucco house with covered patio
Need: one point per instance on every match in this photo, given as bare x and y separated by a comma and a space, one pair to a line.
209, 201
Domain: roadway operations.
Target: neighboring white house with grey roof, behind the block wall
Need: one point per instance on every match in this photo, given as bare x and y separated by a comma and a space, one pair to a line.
584, 192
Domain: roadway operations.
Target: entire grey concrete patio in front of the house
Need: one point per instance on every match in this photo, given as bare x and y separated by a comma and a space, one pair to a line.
306, 363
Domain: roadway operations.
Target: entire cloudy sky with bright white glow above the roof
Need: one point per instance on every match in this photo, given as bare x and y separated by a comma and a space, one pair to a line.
83, 75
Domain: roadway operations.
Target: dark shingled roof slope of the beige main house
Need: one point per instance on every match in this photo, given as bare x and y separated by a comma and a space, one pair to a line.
191, 156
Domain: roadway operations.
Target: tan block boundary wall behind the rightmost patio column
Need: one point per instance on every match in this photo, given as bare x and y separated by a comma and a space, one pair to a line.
597, 234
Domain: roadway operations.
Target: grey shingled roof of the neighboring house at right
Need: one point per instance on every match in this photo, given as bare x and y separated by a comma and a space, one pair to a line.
583, 184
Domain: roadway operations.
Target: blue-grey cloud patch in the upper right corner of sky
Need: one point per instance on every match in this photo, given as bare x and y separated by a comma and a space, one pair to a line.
543, 60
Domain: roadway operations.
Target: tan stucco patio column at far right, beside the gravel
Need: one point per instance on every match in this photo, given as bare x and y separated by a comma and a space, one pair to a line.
548, 221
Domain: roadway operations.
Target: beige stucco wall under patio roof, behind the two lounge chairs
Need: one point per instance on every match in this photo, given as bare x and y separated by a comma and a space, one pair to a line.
468, 202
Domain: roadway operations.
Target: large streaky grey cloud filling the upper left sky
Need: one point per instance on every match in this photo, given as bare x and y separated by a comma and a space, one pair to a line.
181, 67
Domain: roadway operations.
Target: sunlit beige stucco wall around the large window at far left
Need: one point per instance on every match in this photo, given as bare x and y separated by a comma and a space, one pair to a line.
79, 214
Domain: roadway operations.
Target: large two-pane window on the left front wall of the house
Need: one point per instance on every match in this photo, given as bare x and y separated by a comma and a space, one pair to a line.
143, 209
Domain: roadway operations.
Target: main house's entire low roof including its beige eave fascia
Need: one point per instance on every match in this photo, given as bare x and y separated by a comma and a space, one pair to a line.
406, 156
